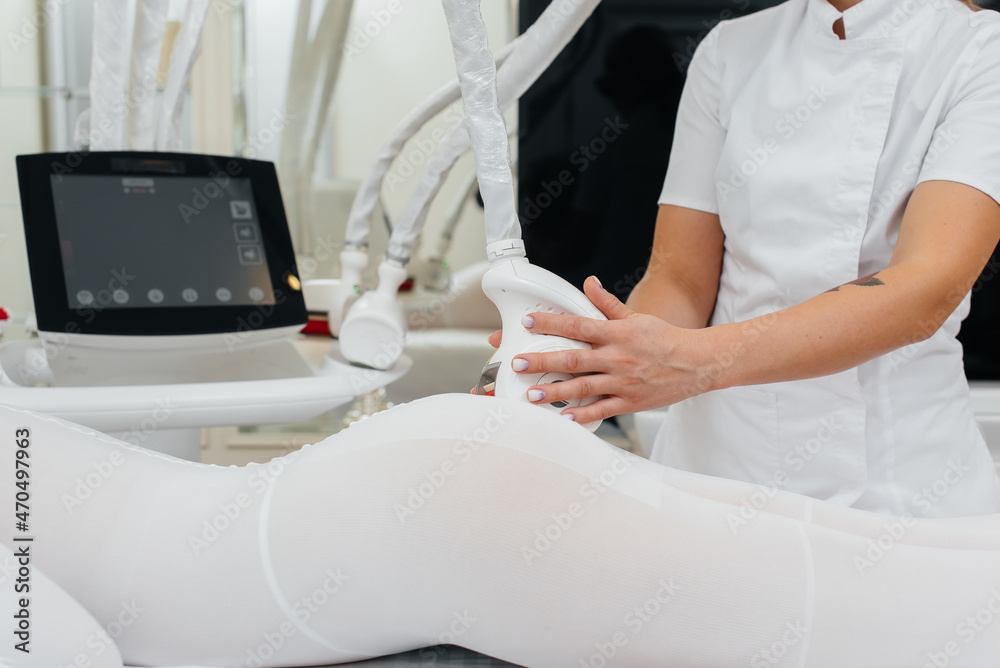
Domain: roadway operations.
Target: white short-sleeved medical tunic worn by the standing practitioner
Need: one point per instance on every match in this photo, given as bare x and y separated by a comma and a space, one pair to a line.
808, 148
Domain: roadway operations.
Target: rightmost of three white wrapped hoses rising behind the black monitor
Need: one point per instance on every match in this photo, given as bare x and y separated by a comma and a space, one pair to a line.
186, 49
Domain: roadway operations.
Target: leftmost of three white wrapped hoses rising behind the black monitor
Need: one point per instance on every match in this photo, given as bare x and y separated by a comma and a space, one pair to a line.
108, 71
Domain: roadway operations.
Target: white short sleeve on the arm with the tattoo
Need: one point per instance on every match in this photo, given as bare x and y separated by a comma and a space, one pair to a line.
966, 145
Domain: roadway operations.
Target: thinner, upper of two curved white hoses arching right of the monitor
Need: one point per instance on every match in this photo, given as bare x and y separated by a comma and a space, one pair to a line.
360, 220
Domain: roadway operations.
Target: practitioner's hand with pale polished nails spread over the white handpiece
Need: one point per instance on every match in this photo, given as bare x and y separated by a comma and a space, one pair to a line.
638, 362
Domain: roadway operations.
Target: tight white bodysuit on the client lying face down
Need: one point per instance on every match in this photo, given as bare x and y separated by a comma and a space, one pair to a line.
495, 526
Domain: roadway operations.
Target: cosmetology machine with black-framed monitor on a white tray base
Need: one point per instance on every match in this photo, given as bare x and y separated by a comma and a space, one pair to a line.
166, 295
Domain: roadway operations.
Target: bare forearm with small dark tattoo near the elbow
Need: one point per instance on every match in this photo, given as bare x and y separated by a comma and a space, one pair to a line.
832, 332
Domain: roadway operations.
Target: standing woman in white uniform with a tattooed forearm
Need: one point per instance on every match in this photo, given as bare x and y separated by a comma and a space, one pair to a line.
814, 147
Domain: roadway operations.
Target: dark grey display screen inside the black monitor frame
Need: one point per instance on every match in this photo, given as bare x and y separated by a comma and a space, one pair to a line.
160, 241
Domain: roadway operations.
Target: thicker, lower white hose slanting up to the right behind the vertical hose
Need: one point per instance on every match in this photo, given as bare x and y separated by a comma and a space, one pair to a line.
540, 44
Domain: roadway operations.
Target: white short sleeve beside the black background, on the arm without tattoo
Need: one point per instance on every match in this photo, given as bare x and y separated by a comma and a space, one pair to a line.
699, 134
